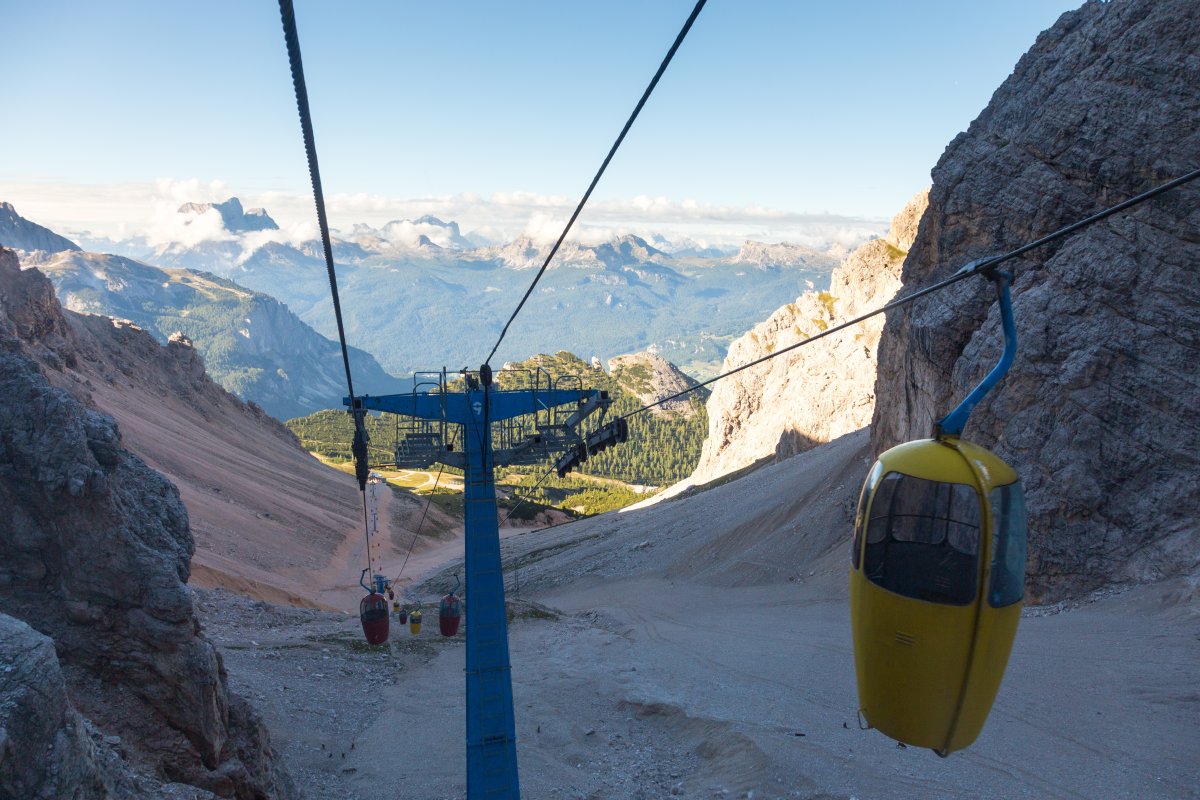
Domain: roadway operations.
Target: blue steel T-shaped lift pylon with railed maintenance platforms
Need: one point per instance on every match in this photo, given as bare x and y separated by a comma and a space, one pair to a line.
479, 410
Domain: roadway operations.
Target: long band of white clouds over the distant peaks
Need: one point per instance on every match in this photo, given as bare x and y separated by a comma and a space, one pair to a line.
149, 209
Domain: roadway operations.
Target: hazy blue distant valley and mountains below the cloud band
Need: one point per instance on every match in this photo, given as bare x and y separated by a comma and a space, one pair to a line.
421, 294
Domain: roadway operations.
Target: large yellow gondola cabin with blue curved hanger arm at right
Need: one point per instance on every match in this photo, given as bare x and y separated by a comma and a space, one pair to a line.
938, 579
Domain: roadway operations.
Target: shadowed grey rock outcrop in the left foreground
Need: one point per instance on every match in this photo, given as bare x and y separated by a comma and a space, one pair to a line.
95, 556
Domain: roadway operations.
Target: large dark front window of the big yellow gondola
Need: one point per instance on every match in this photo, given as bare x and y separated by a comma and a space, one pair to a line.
923, 539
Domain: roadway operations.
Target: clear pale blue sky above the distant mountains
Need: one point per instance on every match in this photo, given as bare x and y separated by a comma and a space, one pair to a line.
793, 107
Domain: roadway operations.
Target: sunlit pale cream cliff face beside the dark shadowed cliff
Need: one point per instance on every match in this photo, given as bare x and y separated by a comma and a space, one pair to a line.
818, 393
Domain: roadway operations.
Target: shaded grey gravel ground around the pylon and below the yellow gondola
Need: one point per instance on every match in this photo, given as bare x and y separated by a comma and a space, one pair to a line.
701, 649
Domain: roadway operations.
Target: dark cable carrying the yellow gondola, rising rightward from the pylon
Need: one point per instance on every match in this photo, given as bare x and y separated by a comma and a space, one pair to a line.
980, 267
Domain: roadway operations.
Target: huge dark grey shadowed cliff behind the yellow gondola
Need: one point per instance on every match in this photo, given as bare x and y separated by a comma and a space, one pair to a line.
1100, 411
